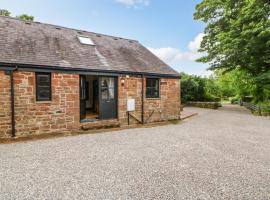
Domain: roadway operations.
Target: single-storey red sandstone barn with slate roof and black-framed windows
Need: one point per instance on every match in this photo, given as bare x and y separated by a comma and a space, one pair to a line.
55, 79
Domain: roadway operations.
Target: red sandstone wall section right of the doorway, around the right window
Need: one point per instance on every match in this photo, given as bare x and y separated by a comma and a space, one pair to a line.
167, 107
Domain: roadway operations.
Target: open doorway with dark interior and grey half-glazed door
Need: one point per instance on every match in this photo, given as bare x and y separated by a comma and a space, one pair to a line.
98, 97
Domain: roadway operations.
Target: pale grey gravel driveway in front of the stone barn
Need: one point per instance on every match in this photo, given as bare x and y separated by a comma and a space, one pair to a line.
223, 154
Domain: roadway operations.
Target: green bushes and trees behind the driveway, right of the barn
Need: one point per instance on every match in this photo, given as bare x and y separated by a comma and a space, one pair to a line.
233, 86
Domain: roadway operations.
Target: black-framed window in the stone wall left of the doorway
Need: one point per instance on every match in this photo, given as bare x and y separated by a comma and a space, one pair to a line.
43, 87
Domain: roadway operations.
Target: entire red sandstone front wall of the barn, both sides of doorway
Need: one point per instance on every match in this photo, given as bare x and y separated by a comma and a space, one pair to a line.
63, 112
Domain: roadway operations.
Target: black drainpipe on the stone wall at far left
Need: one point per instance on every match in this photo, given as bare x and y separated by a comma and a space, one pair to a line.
12, 103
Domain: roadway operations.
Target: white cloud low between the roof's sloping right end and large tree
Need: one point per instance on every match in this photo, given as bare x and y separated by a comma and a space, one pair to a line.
183, 60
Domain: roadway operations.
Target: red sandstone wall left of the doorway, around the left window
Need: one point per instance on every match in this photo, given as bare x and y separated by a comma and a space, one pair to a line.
32, 117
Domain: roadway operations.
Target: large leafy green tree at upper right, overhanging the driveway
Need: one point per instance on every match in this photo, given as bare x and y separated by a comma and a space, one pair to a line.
237, 37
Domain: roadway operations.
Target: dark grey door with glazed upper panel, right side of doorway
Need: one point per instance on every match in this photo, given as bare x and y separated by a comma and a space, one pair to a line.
108, 97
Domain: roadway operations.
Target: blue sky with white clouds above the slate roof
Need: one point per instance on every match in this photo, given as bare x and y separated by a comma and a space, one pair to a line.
166, 27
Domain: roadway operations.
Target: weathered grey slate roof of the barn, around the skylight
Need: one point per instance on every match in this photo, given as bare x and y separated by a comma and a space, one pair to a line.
38, 44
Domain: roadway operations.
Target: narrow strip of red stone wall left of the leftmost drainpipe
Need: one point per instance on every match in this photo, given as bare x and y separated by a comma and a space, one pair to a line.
5, 117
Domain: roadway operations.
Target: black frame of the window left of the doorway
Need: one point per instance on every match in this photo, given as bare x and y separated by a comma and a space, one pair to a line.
38, 87
